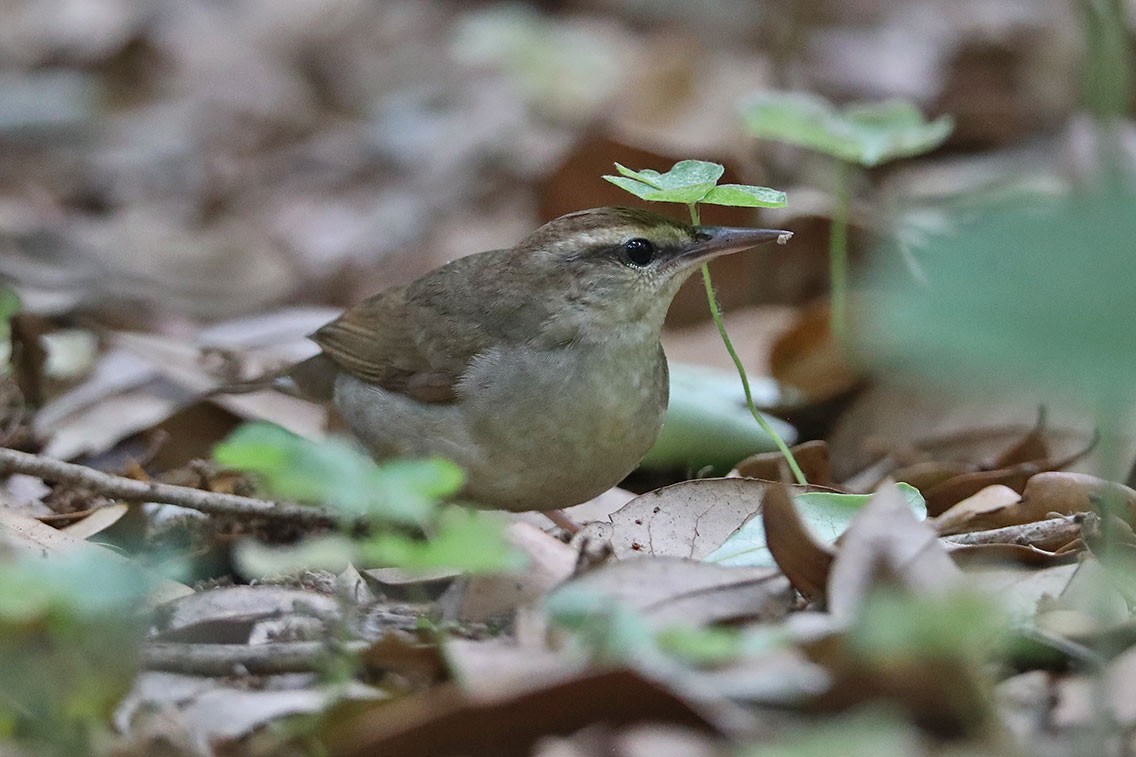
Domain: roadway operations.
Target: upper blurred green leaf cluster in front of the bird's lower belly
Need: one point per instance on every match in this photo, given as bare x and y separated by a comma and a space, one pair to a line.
338, 473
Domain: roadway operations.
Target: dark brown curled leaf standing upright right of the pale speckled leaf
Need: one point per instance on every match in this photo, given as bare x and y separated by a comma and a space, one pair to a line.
804, 559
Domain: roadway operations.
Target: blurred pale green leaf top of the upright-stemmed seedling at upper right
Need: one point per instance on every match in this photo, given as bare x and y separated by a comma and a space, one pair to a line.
867, 135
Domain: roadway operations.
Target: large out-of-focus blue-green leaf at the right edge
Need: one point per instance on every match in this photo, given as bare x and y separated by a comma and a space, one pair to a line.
1038, 293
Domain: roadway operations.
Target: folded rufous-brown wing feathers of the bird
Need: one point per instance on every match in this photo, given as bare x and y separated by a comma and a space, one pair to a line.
373, 340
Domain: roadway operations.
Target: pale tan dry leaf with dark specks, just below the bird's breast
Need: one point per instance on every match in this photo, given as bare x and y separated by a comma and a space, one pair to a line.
689, 520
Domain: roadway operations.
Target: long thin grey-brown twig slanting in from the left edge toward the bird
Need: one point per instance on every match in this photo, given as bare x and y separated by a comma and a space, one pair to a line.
144, 492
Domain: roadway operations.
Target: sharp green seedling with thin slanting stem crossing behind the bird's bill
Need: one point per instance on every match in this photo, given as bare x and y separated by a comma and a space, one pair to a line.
691, 184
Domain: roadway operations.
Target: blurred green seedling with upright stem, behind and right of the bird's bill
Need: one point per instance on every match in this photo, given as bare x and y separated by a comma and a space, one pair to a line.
859, 135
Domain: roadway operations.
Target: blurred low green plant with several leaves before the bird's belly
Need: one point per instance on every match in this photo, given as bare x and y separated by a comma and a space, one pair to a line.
395, 498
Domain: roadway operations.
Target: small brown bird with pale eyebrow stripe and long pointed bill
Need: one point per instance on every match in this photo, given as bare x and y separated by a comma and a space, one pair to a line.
538, 369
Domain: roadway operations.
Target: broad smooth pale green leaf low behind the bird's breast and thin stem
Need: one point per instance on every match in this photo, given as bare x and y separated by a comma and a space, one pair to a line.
708, 423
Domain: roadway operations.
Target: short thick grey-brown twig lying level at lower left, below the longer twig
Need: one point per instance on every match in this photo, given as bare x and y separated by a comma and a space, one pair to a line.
245, 660
